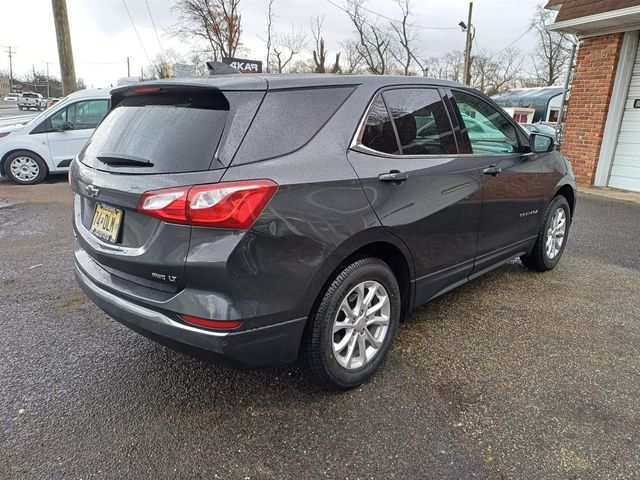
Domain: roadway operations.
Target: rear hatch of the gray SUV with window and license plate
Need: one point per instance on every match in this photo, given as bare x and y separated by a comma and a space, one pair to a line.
155, 136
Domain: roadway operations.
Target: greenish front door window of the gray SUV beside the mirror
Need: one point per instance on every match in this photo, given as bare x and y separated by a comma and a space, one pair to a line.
490, 133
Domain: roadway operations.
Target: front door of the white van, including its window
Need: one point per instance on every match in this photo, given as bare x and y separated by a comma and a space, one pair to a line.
82, 118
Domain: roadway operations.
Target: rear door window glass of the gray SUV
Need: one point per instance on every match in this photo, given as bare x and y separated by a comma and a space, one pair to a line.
421, 121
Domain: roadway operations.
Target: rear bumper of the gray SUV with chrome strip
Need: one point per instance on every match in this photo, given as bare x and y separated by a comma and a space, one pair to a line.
270, 345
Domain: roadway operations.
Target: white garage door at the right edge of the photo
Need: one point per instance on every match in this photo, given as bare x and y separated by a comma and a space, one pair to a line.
625, 172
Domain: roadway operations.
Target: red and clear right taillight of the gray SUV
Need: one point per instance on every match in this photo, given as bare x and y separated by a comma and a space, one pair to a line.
222, 205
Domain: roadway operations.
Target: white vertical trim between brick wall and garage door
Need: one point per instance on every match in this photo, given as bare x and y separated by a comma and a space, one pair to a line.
617, 105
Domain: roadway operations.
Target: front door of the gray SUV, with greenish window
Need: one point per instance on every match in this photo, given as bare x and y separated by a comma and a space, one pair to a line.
513, 189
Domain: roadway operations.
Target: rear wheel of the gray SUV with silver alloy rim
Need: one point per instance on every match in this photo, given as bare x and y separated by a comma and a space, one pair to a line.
331, 365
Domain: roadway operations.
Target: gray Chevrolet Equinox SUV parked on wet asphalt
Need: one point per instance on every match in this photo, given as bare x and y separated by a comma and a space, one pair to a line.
255, 220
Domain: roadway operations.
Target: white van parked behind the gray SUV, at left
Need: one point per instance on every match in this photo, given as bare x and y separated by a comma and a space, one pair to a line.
49, 142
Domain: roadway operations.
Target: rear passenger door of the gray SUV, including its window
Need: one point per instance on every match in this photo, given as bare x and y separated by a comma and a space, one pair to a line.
421, 189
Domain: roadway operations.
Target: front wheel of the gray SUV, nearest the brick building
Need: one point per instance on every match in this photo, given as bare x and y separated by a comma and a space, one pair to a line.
546, 253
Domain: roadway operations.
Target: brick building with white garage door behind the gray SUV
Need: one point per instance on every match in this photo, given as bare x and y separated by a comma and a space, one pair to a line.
602, 132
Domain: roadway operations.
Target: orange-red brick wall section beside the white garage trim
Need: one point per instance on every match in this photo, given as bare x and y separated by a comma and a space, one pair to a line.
589, 103
